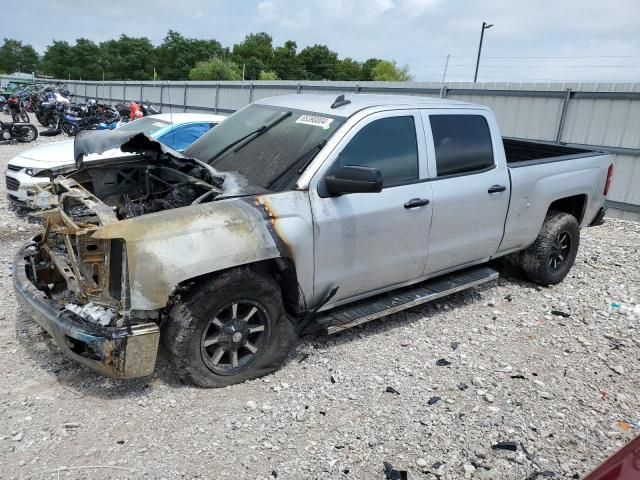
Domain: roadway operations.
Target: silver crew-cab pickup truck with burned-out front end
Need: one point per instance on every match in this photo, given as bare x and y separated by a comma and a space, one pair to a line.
299, 213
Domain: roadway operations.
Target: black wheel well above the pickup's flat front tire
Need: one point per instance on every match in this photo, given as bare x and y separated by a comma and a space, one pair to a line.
282, 270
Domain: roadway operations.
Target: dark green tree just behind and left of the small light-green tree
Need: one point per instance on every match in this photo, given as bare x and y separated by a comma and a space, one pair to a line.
177, 55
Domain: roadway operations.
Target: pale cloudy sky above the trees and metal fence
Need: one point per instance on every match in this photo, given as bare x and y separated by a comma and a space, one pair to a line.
531, 40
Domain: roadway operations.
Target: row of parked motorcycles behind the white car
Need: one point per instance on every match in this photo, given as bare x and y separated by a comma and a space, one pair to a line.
53, 108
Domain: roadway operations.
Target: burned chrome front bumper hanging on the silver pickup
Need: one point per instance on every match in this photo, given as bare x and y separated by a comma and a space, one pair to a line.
117, 352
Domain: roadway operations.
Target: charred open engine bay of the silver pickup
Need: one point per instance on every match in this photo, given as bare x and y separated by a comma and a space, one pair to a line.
137, 188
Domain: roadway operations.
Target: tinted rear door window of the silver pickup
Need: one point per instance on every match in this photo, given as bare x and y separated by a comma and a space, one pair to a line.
463, 143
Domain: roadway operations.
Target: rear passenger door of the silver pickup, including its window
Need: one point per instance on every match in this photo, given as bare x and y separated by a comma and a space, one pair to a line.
471, 187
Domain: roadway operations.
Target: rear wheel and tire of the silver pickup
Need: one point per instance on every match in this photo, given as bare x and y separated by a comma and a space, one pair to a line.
551, 256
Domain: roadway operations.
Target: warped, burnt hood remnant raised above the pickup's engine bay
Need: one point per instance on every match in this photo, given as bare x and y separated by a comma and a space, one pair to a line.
99, 141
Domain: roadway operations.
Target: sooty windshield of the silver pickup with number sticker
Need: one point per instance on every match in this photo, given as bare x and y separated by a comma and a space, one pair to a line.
278, 142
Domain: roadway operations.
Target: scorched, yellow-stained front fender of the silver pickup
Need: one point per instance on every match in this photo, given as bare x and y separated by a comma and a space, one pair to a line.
166, 248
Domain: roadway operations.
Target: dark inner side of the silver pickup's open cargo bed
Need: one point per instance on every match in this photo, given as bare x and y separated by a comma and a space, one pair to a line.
521, 153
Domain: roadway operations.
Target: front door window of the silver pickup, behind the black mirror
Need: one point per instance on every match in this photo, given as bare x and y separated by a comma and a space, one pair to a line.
388, 144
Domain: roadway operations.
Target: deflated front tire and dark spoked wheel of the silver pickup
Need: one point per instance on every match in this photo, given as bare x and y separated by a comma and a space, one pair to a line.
201, 326
